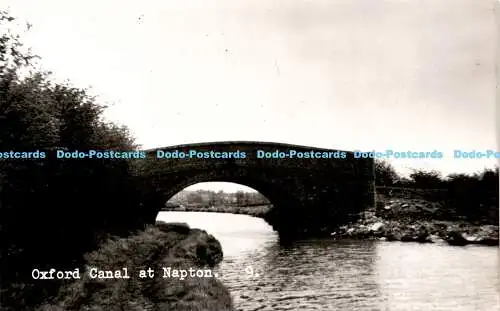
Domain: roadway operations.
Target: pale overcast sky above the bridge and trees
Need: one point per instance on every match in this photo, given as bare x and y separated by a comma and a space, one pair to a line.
356, 74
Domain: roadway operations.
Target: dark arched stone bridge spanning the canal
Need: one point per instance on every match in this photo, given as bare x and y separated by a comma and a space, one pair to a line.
311, 189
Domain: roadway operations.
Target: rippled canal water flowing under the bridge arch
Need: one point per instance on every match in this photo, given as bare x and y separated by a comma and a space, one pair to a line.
346, 275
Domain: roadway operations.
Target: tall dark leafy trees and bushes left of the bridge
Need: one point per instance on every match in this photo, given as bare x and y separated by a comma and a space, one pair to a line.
54, 210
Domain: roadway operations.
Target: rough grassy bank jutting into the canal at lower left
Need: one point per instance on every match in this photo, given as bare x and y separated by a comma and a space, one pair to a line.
161, 246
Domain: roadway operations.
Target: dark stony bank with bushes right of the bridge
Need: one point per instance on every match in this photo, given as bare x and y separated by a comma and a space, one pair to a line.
460, 209
